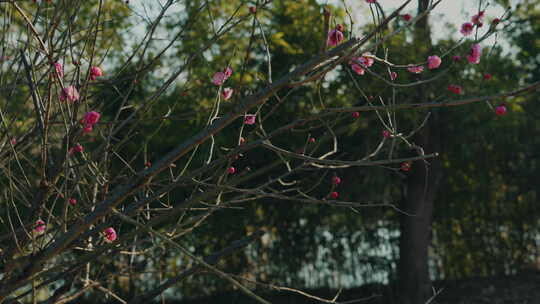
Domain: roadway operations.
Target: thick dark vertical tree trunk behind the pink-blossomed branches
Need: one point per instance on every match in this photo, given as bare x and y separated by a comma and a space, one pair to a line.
421, 187
